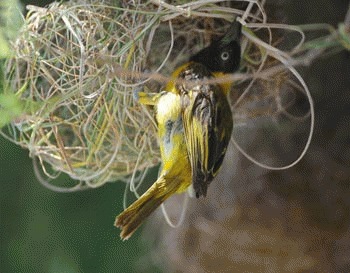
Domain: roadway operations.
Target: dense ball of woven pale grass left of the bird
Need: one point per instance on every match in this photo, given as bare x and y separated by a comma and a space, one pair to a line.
80, 62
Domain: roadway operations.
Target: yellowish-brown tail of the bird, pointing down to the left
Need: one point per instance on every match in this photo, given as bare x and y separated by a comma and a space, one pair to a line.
133, 216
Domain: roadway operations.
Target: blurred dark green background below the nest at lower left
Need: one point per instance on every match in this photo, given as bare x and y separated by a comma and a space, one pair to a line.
45, 231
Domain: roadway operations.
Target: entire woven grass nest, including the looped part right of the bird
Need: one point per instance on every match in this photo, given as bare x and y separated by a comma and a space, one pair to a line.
81, 61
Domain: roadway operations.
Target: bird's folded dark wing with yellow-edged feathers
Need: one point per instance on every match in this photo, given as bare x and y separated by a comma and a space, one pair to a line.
206, 132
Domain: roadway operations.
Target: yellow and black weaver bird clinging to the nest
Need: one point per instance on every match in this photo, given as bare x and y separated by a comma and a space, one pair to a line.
194, 127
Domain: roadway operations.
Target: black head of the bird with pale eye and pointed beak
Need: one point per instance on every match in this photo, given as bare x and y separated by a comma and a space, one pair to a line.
224, 54
